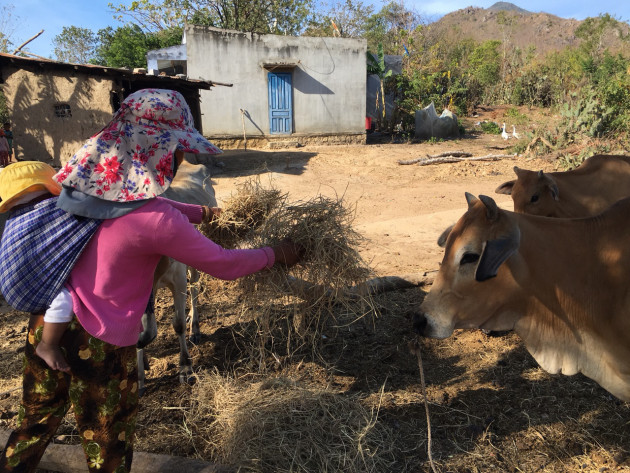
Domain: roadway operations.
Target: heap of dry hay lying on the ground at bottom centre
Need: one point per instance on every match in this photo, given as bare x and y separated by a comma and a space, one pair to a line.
281, 426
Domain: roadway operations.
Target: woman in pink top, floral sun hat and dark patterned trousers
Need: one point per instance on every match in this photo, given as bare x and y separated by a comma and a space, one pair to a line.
116, 177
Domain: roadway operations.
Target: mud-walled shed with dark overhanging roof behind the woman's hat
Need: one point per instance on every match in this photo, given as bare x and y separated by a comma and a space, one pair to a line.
54, 107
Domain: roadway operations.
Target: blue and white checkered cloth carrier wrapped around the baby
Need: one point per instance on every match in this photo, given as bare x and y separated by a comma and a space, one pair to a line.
40, 245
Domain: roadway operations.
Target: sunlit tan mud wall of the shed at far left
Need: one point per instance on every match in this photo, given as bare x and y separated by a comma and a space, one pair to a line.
39, 134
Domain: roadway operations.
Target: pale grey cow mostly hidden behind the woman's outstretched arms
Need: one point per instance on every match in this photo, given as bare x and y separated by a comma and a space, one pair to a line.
191, 185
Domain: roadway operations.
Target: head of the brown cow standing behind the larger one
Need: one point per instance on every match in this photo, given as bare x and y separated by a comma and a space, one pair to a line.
534, 193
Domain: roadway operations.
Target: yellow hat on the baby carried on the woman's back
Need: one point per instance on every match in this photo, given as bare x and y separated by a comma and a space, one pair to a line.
18, 179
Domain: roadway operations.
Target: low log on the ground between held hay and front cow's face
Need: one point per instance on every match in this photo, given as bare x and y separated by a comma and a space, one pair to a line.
307, 290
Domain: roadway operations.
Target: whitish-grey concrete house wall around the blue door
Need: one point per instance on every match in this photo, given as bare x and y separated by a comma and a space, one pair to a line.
328, 78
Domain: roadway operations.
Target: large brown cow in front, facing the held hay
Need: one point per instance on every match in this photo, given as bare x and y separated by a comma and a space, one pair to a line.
561, 284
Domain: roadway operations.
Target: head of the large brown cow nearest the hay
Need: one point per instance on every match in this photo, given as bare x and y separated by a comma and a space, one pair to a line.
472, 282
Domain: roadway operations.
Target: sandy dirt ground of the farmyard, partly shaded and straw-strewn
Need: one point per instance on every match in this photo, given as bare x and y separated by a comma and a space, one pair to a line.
492, 408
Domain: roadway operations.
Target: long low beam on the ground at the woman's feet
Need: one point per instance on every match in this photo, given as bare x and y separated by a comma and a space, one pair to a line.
71, 459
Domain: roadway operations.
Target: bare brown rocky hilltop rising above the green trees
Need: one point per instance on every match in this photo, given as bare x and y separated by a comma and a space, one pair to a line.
518, 27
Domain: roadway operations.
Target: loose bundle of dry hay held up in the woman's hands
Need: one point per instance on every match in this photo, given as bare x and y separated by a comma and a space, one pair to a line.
285, 310
